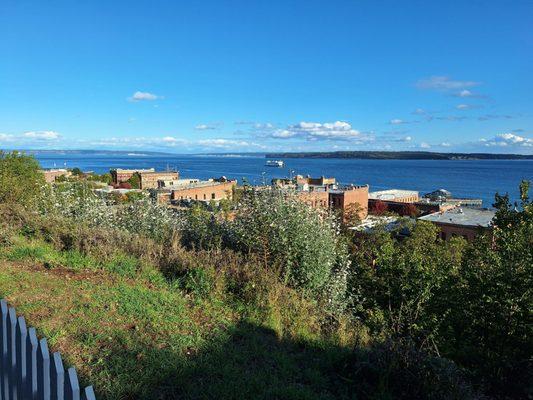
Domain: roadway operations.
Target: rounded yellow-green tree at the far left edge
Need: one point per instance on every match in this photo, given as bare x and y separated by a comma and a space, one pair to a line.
20, 178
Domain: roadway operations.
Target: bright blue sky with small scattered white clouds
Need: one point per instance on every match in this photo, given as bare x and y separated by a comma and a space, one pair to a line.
202, 76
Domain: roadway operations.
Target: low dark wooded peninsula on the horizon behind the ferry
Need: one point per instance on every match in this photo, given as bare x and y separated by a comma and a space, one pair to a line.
402, 155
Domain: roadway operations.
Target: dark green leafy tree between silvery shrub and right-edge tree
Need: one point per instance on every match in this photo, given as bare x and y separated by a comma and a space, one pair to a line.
399, 286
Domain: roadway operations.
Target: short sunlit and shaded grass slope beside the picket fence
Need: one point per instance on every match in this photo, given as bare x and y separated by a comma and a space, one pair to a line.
132, 335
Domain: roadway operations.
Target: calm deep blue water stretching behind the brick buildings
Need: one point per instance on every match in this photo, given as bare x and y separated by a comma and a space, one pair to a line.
478, 179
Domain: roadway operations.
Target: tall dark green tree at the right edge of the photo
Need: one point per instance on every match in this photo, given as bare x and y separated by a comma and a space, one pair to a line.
491, 319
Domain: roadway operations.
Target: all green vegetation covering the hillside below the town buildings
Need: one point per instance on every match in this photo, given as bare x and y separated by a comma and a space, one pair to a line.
267, 298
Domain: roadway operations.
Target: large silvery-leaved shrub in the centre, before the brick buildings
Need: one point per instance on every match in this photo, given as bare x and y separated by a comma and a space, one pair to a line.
300, 245
